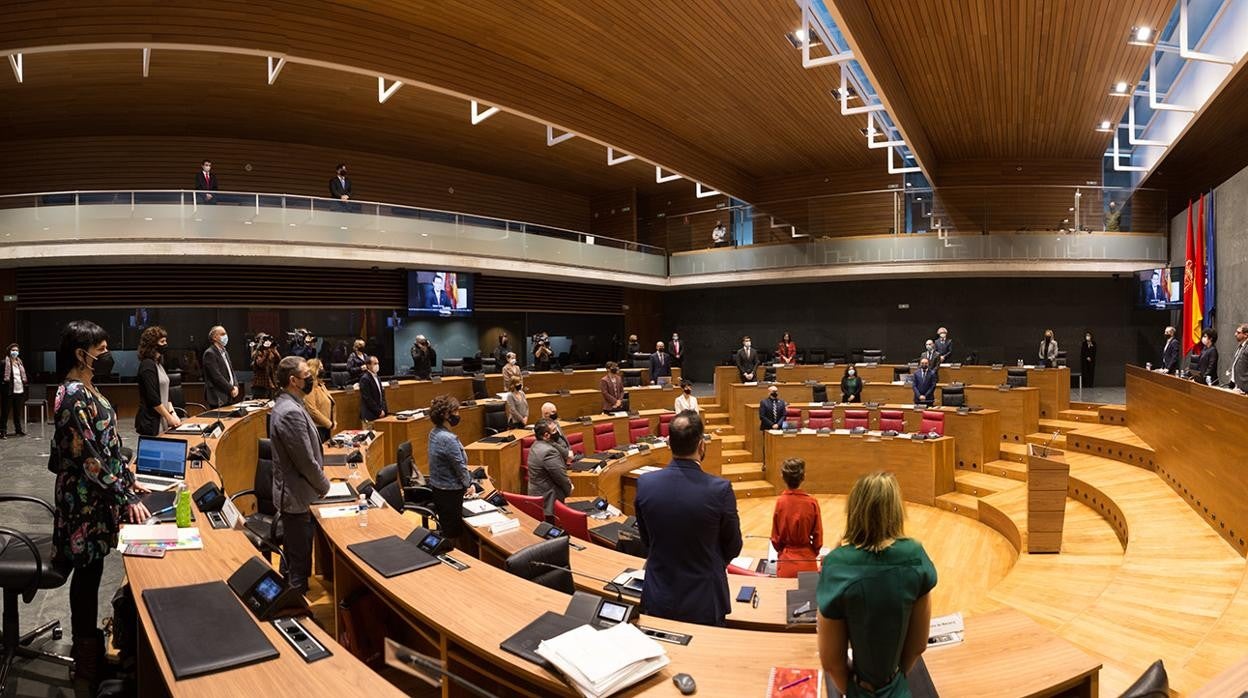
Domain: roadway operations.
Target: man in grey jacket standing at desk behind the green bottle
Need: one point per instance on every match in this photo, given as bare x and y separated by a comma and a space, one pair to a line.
299, 468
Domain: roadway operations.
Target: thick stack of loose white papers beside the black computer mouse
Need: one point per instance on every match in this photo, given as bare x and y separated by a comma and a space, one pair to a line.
600, 664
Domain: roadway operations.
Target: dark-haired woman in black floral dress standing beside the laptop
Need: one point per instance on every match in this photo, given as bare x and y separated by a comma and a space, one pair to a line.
95, 490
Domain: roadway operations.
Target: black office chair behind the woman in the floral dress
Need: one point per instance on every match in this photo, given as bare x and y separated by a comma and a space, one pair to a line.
26, 569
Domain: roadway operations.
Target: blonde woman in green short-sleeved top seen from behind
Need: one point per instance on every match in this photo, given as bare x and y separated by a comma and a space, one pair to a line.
874, 595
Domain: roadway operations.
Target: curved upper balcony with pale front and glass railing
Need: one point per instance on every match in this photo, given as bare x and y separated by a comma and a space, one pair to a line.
968, 232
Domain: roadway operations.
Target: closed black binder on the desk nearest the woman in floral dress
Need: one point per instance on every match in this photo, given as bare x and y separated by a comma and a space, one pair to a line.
205, 629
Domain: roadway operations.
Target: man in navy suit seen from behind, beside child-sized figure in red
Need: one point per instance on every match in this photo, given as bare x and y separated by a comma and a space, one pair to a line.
688, 520
